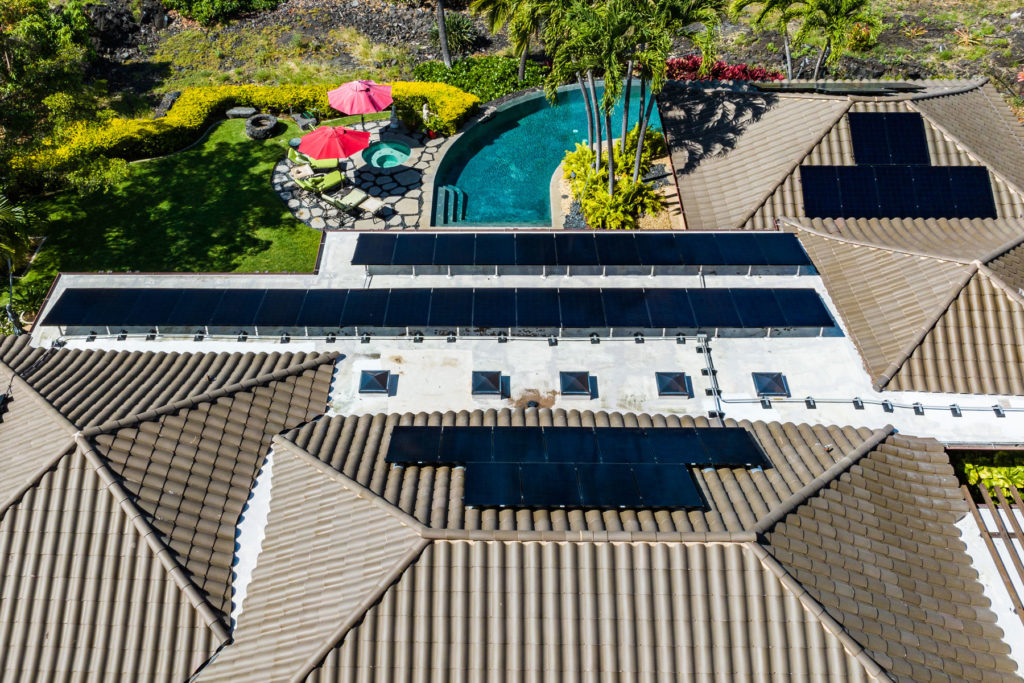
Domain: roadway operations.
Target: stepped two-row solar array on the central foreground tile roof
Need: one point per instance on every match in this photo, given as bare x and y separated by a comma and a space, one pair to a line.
601, 467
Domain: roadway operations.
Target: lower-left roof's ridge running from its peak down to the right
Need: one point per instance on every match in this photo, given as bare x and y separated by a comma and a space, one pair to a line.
166, 557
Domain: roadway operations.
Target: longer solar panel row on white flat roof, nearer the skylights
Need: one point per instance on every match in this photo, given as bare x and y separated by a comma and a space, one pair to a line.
441, 309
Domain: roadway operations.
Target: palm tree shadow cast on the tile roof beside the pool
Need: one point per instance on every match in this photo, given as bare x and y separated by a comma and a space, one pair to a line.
700, 124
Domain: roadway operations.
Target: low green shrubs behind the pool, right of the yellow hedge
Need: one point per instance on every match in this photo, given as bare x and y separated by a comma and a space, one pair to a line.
488, 78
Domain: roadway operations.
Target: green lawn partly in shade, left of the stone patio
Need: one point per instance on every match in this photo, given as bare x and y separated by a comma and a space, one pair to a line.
208, 209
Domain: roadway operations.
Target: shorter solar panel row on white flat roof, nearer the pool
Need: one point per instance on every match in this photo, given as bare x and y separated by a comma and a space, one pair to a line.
778, 249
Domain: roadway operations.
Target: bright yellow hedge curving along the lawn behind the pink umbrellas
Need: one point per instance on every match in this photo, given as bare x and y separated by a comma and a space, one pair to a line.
197, 108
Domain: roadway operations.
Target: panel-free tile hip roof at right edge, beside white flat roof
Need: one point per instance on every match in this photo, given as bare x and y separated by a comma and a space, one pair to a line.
922, 322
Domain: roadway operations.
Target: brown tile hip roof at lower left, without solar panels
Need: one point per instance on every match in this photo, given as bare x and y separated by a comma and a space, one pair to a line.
133, 522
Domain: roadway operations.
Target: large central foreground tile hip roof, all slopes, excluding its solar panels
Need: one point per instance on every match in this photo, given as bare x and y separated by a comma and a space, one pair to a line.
558, 603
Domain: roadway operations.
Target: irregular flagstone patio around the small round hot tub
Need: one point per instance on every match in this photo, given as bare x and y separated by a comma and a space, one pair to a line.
401, 188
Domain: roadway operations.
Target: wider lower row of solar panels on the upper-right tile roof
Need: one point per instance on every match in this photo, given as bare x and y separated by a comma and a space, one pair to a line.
898, 192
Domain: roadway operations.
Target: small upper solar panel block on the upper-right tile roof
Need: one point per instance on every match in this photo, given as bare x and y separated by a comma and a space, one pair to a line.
892, 138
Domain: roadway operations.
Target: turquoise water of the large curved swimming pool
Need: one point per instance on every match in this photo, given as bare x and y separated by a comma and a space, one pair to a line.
504, 165
